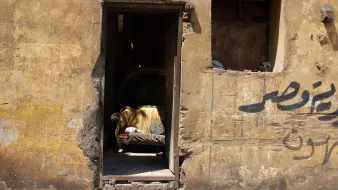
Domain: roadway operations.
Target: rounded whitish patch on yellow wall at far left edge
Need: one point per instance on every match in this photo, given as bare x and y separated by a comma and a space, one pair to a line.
8, 133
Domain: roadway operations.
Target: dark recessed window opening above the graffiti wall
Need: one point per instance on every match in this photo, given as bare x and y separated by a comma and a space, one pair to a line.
245, 34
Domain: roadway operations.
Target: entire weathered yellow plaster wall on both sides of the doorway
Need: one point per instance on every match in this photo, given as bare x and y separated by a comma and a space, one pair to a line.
49, 53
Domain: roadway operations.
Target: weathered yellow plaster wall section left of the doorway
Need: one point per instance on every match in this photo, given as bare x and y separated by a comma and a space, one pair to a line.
48, 51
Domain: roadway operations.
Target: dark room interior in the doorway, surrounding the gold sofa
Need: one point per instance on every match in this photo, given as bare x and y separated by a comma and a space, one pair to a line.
141, 46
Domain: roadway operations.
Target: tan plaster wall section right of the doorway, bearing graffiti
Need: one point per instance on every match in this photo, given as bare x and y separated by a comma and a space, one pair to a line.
263, 130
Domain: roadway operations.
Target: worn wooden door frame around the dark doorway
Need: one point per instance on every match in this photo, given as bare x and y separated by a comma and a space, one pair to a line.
176, 83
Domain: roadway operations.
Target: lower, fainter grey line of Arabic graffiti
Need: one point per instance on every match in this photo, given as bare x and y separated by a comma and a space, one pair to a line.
310, 143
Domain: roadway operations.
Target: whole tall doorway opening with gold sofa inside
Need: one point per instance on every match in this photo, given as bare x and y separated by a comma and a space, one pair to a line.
142, 79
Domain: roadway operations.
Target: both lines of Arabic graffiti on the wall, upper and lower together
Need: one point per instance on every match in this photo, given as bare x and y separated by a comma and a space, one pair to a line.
291, 92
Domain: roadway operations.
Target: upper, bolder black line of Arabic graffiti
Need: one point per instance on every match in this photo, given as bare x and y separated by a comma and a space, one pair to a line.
291, 92
